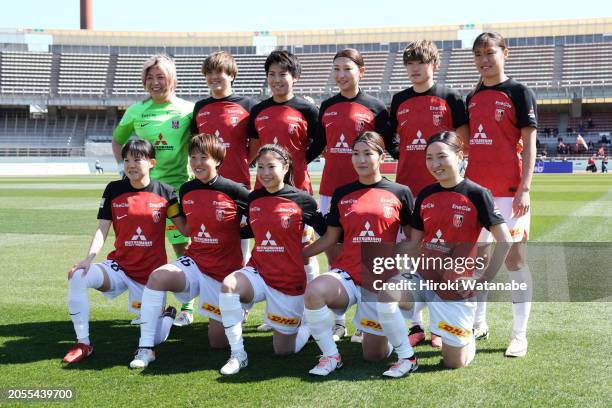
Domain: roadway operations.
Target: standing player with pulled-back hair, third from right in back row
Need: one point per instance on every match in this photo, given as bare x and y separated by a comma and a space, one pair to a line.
342, 118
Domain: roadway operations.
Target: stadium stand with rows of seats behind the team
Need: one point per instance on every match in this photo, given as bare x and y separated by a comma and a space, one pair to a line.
86, 83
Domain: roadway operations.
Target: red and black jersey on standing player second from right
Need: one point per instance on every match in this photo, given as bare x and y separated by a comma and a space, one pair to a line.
415, 117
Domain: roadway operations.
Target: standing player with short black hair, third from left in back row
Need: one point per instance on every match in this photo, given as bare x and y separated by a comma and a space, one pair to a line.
289, 121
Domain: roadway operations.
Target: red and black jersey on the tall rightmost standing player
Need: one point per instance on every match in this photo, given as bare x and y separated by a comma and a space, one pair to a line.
497, 115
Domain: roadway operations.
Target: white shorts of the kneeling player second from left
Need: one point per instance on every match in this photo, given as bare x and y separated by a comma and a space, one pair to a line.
199, 284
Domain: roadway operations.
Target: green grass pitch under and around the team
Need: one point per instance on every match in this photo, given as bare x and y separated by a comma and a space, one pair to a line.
46, 224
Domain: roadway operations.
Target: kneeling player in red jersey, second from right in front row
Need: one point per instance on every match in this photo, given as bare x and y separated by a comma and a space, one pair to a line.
369, 210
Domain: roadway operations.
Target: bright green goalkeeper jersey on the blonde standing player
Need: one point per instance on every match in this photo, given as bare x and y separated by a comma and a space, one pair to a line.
166, 126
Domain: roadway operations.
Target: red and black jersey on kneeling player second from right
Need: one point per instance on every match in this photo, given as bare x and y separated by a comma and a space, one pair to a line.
367, 214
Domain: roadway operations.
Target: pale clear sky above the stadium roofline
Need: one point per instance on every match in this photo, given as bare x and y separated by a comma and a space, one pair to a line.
268, 15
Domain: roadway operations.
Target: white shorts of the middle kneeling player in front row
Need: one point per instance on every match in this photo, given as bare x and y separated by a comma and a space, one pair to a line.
283, 312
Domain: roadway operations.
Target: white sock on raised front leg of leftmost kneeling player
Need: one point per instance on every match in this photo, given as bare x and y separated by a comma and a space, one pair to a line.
78, 301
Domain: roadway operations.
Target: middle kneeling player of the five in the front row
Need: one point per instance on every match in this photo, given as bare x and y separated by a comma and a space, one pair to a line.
277, 216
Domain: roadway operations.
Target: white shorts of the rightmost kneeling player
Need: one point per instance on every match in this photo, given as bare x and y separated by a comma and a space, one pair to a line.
452, 320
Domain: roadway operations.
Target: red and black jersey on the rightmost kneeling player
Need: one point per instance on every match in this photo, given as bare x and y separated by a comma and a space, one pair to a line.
451, 220
